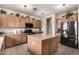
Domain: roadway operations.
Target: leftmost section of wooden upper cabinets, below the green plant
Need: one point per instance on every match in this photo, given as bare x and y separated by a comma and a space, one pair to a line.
6, 21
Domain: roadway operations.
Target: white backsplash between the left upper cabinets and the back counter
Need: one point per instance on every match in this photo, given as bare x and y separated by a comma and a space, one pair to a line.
16, 30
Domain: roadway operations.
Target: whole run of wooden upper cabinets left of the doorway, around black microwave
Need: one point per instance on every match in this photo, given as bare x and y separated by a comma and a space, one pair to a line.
7, 21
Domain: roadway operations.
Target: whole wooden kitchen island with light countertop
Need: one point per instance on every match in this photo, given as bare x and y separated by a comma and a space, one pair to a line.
42, 44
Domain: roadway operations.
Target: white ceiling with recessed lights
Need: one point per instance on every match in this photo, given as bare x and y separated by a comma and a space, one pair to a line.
40, 10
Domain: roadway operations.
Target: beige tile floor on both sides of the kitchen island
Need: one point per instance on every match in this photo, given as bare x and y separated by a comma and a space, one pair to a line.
22, 50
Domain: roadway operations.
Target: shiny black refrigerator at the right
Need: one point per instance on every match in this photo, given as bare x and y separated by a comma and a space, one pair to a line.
69, 34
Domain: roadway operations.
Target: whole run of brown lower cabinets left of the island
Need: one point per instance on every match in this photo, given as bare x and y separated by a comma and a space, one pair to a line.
13, 40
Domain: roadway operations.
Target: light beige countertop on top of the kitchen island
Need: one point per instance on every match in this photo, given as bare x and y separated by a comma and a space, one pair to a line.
42, 36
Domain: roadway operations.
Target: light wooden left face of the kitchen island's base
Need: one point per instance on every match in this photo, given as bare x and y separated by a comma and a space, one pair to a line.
34, 46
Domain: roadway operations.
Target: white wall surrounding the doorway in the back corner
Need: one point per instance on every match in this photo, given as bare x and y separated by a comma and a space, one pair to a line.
52, 23
